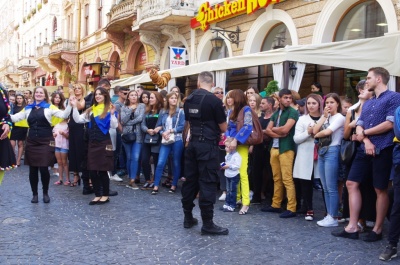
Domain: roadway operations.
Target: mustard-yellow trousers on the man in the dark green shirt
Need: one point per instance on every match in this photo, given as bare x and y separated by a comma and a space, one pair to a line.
282, 170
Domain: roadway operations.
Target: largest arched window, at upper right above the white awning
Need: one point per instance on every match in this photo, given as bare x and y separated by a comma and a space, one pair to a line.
365, 20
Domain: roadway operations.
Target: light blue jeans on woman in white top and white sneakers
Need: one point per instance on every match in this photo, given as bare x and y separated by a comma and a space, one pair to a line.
328, 166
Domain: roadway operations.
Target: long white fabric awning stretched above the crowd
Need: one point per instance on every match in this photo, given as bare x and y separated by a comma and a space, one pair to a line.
354, 54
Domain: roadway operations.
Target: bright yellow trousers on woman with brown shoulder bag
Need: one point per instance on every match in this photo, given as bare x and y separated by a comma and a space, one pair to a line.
243, 190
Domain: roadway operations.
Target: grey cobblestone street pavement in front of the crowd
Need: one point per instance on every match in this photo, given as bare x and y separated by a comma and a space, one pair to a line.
138, 228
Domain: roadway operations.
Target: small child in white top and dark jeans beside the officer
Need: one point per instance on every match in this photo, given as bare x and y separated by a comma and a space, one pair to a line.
231, 166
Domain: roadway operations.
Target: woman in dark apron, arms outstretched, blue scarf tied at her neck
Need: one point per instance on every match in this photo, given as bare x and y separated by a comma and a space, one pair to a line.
39, 150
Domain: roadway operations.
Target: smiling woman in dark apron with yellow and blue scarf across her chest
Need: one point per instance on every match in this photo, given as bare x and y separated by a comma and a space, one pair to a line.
100, 151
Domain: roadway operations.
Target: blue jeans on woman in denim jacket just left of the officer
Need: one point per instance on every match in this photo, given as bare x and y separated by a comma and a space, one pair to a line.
165, 150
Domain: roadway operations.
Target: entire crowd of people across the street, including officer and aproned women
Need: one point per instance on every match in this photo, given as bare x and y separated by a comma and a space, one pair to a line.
97, 138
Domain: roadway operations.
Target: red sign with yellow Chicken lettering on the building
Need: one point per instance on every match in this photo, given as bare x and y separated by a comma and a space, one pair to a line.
211, 14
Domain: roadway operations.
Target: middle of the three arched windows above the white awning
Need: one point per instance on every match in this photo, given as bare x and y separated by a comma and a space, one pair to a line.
277, 37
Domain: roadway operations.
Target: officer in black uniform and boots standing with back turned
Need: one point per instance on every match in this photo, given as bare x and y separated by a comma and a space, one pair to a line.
207, 120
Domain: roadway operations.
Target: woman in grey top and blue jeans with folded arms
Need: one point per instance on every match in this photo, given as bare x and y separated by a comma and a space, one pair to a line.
131, 117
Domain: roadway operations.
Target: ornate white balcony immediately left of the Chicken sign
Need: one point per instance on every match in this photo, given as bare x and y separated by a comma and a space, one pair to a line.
154, 13
